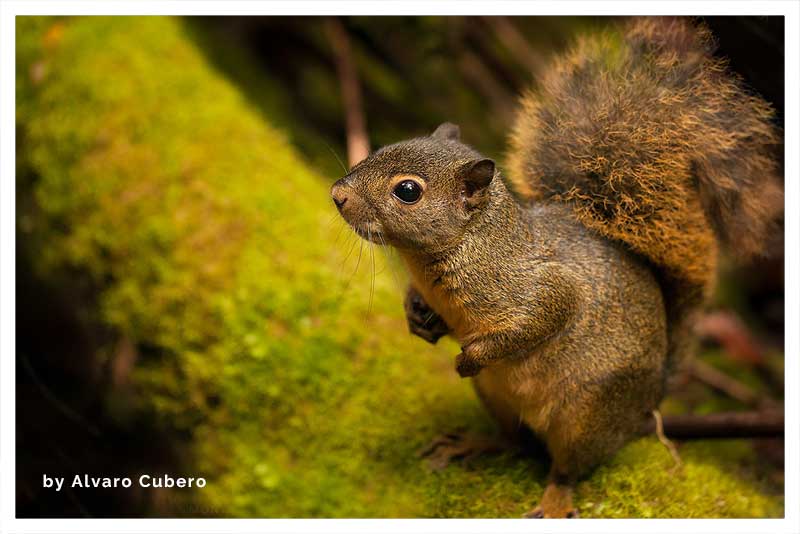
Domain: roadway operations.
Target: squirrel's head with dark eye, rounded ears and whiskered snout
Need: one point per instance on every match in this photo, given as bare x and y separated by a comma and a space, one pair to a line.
420, 194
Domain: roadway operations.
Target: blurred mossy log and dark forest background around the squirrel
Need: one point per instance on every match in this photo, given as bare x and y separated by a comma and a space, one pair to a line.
188, 302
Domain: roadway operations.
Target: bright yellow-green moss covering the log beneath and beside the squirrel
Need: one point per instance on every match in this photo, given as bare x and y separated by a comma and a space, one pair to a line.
215, 248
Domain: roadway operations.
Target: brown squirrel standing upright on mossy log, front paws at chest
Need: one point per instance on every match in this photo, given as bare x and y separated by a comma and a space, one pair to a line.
572, 287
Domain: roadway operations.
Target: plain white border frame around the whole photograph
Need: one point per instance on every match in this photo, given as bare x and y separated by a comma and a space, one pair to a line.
8, 9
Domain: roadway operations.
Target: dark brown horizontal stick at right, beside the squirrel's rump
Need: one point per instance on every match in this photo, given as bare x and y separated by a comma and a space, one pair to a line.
761, 424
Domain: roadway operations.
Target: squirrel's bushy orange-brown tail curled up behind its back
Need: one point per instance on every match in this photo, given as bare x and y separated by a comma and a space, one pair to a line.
657, 145
